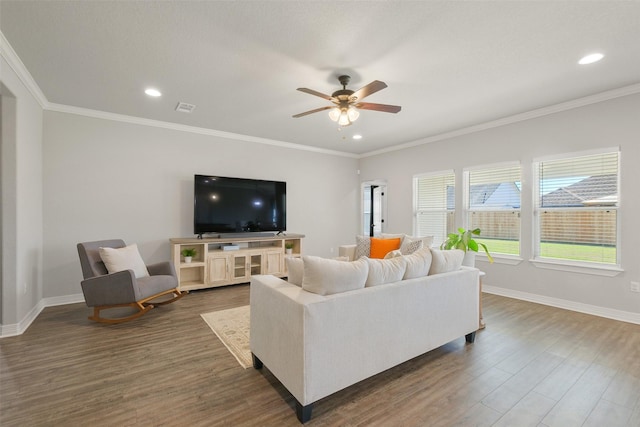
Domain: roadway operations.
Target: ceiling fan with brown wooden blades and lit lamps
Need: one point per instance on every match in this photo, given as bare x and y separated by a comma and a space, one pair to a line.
347, 102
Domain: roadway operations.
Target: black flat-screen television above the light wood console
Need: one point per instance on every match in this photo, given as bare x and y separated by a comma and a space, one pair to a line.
238, 205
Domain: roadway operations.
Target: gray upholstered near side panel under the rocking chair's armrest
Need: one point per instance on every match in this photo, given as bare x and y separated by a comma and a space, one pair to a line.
110, 289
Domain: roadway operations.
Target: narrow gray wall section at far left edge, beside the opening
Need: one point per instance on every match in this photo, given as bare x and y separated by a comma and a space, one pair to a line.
21, 198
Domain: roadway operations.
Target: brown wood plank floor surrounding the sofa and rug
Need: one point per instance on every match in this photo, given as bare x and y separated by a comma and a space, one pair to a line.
532, 366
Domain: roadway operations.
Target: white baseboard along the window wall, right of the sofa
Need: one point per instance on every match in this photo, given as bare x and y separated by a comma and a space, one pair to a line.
609, 313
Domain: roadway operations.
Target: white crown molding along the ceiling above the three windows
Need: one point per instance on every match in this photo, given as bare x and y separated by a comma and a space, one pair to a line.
539, 112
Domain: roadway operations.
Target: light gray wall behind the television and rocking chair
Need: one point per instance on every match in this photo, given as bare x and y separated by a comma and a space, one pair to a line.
110, 179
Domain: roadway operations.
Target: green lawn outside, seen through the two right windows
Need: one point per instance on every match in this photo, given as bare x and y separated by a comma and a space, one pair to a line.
575, 252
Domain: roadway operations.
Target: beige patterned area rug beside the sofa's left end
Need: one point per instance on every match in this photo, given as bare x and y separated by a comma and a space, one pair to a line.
232, 327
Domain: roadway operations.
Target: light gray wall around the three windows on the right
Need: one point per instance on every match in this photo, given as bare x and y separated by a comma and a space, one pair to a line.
605, 124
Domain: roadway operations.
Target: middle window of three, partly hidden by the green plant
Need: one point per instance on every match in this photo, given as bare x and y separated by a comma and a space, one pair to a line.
492, 202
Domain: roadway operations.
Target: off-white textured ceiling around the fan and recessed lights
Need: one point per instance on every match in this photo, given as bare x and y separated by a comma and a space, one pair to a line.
450, 65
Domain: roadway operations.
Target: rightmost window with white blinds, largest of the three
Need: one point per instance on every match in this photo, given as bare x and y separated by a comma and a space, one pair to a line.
577, 201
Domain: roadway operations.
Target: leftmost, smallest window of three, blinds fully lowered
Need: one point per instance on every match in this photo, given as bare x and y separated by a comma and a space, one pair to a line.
434, 205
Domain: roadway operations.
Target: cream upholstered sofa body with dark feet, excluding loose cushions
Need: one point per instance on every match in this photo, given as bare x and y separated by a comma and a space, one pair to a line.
317, 345
